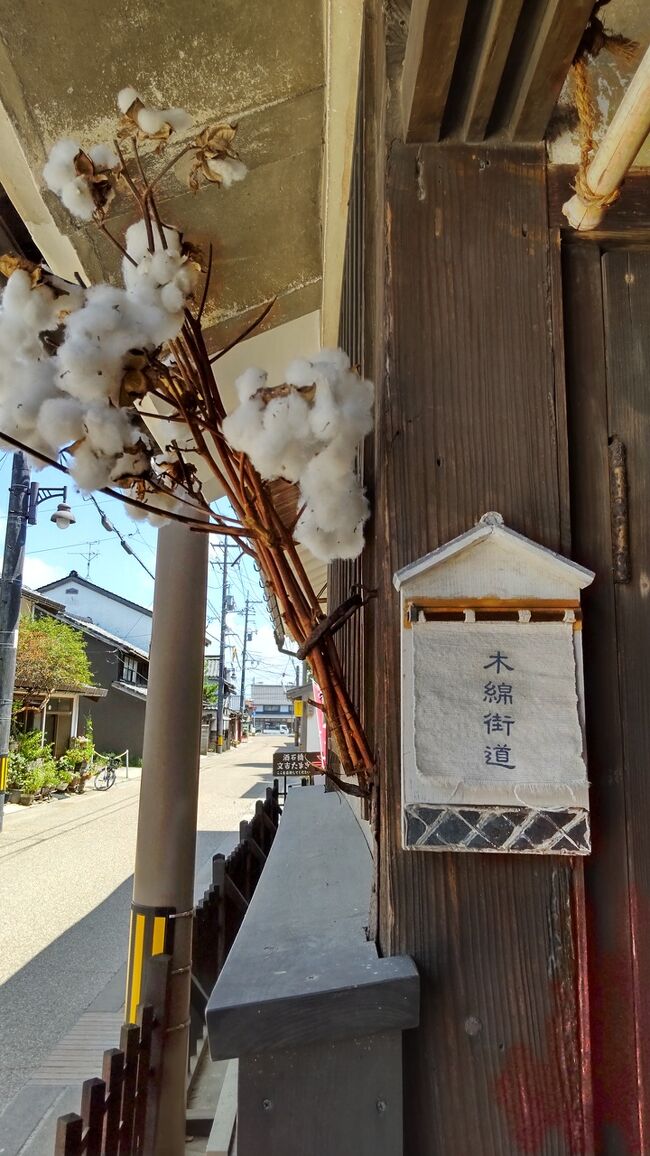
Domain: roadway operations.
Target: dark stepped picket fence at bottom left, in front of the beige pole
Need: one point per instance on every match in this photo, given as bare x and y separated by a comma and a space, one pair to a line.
119, 1113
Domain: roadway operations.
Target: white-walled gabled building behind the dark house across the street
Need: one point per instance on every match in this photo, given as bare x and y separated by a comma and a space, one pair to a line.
88, 603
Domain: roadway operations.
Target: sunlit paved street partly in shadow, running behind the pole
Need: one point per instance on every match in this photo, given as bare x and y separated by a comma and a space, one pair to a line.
67, 881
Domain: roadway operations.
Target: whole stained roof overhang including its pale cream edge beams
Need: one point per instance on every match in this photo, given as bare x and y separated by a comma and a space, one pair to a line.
287, 75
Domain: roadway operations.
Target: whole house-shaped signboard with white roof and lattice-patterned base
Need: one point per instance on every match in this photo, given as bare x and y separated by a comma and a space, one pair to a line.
492, 714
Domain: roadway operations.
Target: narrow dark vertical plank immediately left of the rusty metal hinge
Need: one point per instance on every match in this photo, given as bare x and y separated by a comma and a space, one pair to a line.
614, 1061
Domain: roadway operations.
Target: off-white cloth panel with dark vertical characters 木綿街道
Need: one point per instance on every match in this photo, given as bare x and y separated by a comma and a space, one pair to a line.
496, 715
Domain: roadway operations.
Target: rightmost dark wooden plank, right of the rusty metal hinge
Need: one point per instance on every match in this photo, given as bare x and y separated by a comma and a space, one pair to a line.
627, 345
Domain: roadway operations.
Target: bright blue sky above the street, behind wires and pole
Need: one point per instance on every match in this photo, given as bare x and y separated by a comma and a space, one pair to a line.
53, 554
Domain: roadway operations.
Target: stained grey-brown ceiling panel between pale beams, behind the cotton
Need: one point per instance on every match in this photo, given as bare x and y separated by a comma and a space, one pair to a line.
256, 64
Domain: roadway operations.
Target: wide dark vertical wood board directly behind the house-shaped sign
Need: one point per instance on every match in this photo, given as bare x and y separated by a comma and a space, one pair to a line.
467, 423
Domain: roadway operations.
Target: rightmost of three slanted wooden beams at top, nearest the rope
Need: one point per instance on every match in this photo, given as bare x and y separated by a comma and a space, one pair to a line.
541, 58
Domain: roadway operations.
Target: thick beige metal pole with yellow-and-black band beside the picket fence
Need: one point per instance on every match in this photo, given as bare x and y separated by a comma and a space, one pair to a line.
164, 884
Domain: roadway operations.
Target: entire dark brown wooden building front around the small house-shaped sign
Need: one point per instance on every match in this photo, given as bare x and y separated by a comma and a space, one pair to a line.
511, 355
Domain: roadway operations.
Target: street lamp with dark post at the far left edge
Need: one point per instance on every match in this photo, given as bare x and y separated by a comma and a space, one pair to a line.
25, 499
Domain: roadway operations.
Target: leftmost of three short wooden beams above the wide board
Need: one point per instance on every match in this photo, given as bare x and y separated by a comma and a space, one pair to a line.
434, 34
